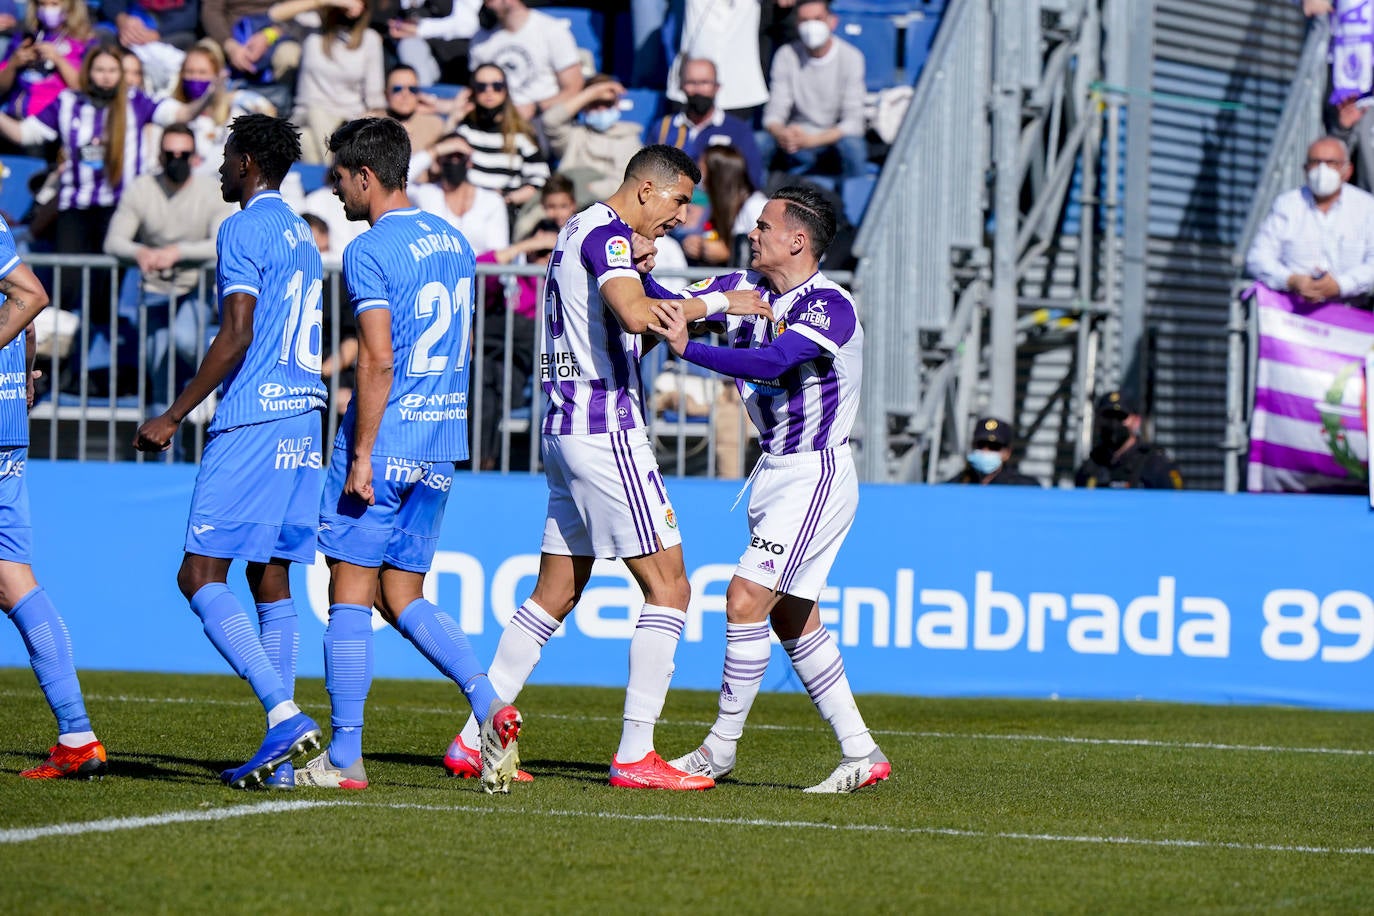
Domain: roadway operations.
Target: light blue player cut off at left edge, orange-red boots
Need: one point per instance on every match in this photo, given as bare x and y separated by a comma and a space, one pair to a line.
78, 753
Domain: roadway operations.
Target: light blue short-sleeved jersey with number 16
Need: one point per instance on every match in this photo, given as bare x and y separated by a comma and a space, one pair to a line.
269, 252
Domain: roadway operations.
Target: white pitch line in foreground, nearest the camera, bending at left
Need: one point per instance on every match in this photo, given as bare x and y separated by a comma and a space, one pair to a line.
28, 834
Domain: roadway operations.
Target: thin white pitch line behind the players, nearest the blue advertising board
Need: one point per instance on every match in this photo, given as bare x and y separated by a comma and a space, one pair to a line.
971, 737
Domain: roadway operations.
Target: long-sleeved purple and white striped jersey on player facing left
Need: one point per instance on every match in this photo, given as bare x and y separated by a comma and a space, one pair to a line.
811, 407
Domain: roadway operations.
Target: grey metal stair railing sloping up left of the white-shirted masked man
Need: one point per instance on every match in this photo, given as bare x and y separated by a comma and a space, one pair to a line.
1300, 124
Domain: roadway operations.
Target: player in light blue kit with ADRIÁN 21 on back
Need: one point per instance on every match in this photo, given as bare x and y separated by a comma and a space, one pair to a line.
410, 279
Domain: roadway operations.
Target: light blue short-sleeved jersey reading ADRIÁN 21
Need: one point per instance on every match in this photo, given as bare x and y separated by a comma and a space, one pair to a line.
423, 271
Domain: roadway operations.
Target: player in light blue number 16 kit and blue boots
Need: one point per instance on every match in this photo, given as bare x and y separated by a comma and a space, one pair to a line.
258, 495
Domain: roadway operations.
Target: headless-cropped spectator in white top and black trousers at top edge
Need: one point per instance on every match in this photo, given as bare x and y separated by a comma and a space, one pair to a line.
431, 36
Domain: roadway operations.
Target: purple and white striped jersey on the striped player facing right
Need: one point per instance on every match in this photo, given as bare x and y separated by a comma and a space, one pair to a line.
589, 365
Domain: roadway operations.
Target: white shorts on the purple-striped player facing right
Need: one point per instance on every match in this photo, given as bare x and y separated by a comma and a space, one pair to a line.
607, 498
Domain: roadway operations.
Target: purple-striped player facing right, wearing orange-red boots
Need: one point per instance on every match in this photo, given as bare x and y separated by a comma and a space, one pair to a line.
607, 498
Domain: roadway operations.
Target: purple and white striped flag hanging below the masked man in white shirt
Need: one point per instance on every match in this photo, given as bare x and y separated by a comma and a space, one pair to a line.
1309, 431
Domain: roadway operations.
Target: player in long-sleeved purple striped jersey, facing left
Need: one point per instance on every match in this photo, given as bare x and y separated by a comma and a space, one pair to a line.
799, 373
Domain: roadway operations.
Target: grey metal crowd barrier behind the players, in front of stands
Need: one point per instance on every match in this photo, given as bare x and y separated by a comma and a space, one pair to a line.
102, 378
